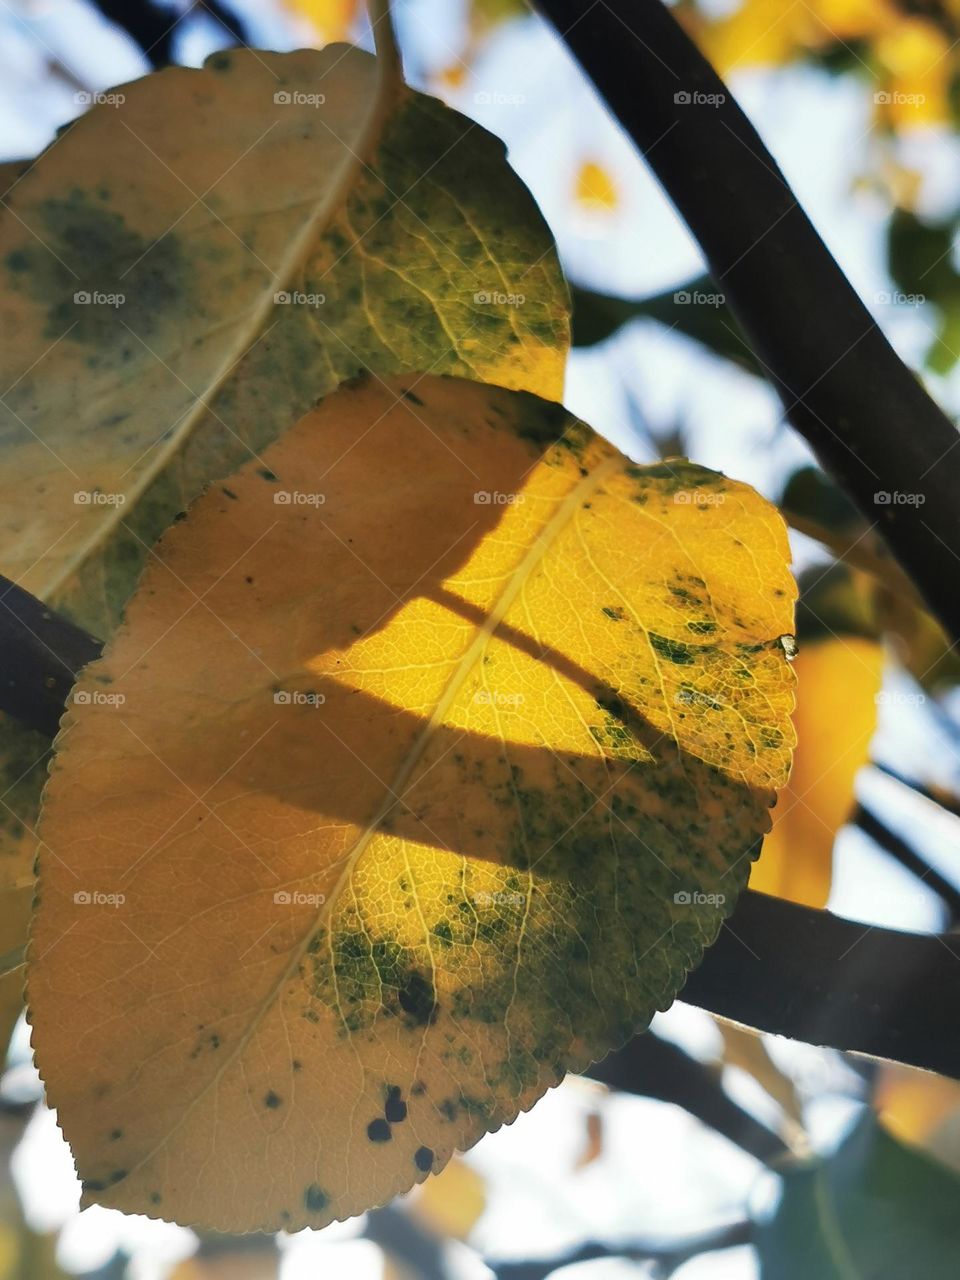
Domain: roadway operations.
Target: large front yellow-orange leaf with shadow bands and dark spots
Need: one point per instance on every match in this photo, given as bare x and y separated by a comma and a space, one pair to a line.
432, 753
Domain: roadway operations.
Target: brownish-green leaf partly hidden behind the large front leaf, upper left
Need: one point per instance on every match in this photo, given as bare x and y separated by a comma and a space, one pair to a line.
141, 337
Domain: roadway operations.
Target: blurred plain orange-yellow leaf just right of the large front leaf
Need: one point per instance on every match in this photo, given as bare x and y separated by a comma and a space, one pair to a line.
835, 719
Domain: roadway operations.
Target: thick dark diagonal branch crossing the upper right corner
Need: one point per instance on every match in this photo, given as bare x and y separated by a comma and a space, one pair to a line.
863, 412
